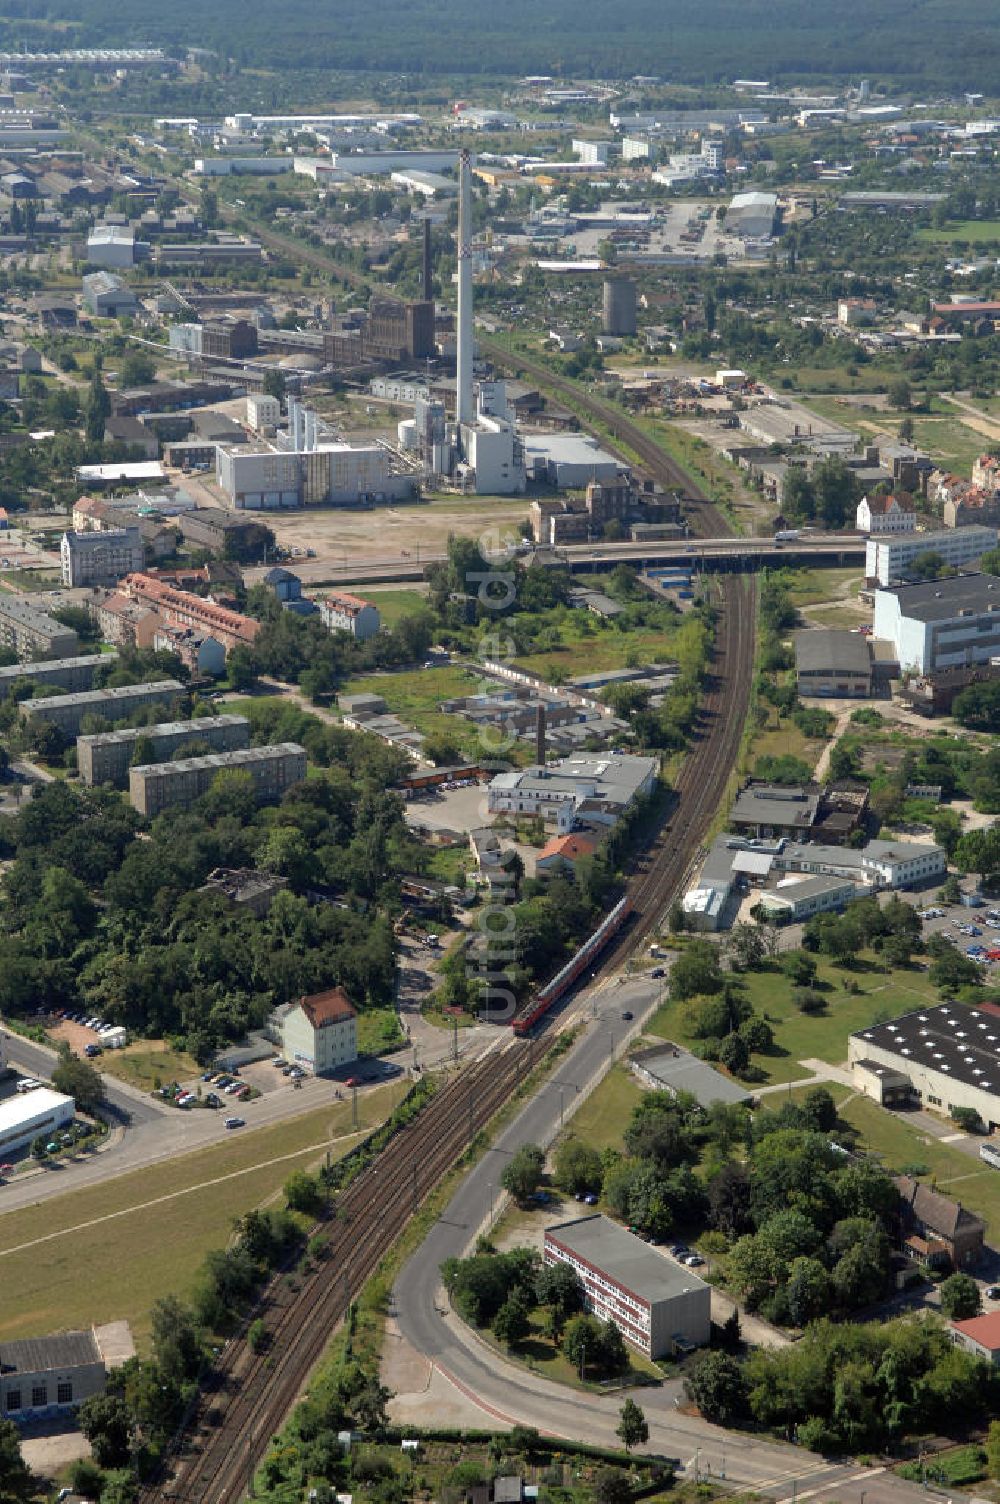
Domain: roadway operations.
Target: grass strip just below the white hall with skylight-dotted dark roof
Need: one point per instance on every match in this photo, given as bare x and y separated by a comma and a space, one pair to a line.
900, 1142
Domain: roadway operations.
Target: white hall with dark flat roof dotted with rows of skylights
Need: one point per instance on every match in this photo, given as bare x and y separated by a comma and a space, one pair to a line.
947, 1057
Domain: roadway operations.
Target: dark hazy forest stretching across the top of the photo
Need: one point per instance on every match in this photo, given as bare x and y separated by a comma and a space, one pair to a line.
947, 47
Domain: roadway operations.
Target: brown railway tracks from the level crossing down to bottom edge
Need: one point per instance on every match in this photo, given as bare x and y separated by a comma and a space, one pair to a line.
250, 1395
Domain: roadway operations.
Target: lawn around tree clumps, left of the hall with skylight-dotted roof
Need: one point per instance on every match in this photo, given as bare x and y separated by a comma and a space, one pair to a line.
801, 1037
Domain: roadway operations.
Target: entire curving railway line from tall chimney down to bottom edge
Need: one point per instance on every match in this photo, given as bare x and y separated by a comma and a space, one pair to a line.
250, 1395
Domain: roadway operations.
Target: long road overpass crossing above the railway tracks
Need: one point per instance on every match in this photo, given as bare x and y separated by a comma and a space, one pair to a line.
717, 556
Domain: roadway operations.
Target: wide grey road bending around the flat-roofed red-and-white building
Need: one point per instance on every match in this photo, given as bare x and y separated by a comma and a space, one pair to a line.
508, 1393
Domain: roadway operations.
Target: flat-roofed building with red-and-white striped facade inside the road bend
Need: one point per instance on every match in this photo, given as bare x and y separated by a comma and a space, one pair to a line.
659, 1306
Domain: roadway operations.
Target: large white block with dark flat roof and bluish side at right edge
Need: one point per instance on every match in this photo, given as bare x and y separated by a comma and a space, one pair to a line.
941, 625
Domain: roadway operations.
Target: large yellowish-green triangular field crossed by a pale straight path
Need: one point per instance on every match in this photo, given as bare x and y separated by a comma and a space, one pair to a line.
109, 1252
